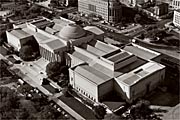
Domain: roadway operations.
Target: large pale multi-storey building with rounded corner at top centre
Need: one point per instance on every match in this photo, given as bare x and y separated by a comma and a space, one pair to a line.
109, 10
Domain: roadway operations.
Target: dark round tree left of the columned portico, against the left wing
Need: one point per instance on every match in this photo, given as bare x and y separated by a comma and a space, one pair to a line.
26, 53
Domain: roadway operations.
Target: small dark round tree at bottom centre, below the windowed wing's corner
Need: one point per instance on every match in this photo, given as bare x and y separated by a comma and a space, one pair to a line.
99, 111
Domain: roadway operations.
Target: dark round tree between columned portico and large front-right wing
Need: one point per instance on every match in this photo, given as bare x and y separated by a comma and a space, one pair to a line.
53, 69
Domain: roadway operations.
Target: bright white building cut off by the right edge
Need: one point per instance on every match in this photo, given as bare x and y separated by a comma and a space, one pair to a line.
176, 18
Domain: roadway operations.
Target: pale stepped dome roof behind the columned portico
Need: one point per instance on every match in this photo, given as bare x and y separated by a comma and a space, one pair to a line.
72, 31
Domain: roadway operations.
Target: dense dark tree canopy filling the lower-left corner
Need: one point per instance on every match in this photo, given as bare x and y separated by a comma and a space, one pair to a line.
14, 107
